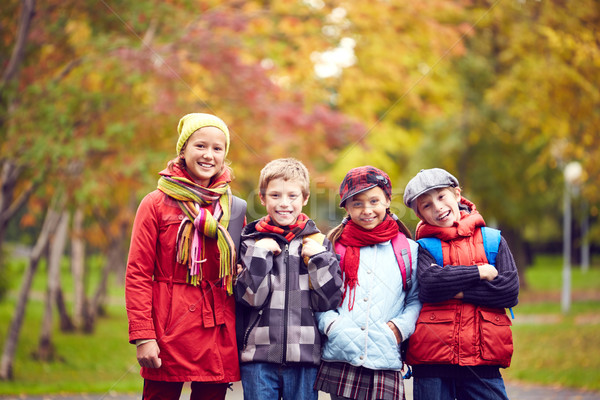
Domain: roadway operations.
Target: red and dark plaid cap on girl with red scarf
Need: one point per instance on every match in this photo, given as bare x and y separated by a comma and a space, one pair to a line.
364, 178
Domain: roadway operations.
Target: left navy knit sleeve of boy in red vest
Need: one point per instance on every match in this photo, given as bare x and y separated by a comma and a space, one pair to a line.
440, 284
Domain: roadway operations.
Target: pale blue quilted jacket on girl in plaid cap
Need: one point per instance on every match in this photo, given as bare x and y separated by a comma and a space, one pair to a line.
361, 336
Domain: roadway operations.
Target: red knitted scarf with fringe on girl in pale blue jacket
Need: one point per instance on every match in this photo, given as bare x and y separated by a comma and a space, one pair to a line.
354, 237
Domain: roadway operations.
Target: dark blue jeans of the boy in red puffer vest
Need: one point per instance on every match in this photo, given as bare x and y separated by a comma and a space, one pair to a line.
461, 389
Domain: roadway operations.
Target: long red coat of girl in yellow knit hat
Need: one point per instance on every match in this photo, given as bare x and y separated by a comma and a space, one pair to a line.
194, 326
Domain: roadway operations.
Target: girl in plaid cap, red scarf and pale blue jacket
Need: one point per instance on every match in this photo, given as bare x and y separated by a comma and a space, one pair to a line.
361, 355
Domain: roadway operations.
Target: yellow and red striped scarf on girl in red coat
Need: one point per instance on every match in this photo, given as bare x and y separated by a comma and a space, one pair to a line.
194, 200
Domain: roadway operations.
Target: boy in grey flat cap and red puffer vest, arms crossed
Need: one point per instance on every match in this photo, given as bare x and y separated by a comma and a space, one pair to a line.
463, 335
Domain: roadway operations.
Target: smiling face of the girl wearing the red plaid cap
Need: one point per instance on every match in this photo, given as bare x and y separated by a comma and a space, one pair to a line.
367, 209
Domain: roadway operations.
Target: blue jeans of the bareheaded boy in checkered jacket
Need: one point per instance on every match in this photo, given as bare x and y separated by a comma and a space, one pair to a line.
262, 381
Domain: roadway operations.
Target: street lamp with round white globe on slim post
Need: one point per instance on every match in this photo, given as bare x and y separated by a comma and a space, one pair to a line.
572, 173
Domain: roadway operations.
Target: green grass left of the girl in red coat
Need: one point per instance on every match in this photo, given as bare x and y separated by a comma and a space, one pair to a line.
100, 363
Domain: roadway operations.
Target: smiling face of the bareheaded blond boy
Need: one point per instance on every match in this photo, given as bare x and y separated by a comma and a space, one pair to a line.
284, 201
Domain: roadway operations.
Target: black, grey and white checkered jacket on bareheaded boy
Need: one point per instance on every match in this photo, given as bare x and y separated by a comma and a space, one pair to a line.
278, 296
